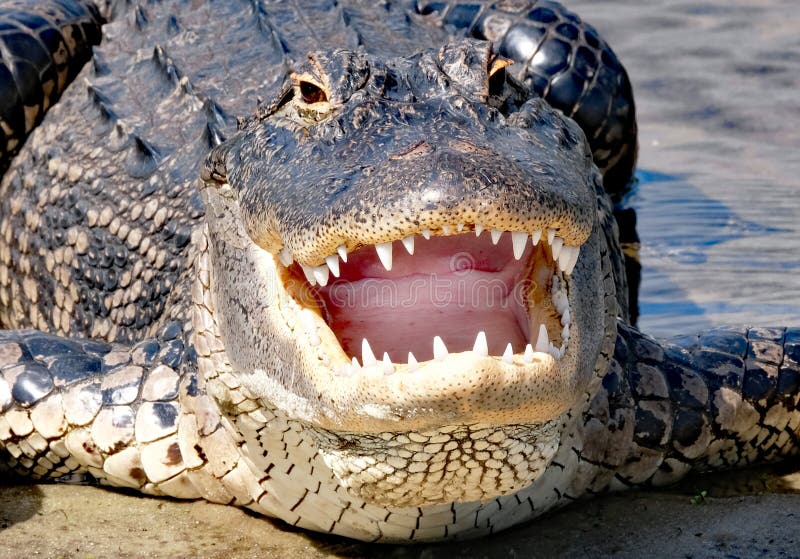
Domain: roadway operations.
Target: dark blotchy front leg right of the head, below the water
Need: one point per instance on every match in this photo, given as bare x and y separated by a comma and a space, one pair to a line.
723, 398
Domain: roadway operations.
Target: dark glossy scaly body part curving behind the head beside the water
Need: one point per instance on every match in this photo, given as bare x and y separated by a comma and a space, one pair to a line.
567, 63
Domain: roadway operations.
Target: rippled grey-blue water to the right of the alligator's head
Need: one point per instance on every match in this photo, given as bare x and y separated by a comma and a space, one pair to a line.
717, 86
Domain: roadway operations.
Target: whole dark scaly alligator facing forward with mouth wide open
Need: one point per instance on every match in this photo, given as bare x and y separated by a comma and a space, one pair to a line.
351, 265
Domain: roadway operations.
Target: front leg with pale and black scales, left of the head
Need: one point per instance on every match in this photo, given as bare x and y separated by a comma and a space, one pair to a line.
79, 409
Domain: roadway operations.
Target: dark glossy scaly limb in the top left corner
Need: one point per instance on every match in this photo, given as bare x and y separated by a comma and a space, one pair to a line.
43, 46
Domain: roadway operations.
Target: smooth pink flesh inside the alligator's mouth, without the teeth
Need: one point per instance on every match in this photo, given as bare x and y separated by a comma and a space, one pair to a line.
453, 287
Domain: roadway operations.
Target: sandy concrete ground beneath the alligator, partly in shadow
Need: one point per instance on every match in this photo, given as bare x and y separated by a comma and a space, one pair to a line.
62, 521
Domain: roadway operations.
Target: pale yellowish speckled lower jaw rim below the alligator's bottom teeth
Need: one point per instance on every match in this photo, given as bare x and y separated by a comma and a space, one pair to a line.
461, 388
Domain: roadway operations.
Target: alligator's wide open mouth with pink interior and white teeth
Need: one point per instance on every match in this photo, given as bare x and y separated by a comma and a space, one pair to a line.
398, 304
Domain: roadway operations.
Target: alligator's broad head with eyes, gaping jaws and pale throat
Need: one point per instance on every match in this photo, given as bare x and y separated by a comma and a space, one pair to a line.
403, 250
